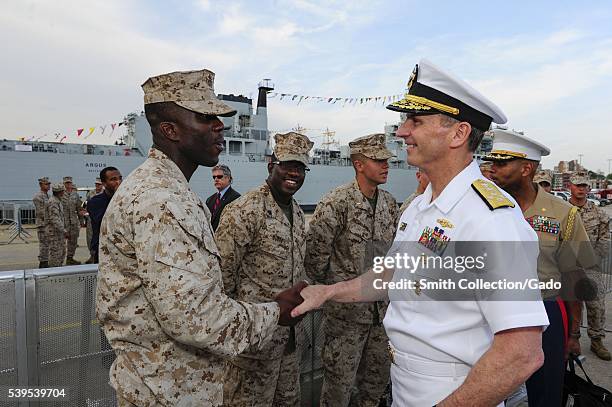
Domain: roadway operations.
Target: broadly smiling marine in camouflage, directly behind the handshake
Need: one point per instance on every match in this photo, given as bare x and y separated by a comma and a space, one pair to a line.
262, 242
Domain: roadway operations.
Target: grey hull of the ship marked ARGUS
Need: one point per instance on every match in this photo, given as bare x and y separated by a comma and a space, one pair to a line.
19, 172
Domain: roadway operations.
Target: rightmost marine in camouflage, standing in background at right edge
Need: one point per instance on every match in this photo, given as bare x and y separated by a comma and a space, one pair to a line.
597, 225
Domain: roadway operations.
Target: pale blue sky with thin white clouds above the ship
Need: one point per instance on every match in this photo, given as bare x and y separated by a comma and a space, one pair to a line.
548, 65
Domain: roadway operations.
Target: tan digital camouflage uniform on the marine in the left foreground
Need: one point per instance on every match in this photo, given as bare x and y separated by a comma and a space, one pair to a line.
160, 293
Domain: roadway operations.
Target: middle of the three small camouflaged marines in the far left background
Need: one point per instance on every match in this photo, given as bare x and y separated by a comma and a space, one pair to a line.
56, 227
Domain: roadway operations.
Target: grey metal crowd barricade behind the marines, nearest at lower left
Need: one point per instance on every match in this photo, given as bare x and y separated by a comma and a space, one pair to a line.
50, 337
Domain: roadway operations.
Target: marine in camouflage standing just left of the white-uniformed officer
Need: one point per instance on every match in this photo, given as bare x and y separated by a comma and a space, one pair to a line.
352, 224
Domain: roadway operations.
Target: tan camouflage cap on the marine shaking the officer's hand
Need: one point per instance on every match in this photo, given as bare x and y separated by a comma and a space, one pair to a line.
193, 90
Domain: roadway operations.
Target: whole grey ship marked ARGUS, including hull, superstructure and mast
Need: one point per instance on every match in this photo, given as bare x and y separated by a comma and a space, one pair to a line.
247, 150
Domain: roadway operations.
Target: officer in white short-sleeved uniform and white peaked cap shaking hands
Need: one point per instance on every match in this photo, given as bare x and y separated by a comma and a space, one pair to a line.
452, 353
